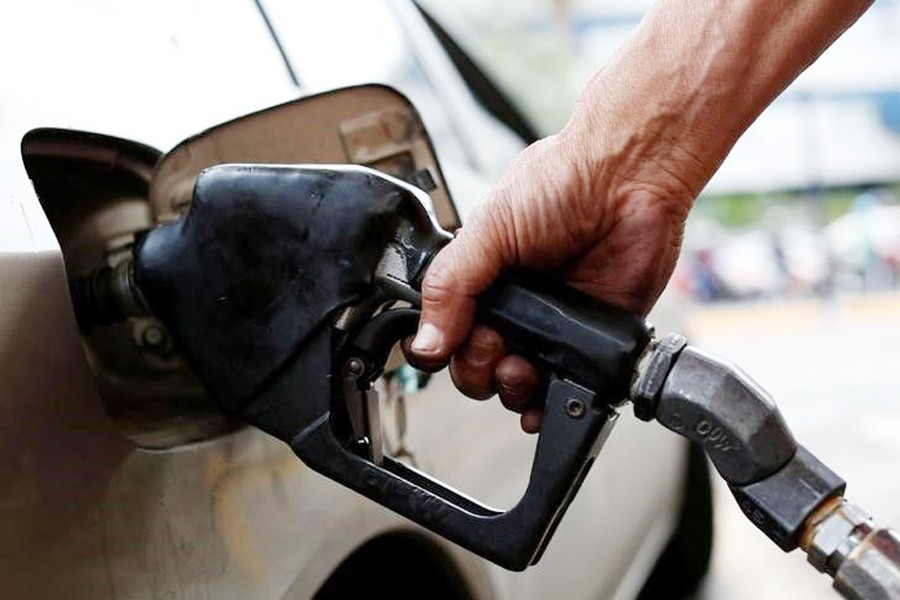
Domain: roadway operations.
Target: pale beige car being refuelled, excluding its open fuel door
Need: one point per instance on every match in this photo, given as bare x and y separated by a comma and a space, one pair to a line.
120, 479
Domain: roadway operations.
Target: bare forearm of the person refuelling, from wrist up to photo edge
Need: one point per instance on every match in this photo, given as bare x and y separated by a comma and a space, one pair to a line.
690, 80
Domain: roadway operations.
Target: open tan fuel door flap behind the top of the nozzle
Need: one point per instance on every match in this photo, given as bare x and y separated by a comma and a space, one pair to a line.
369, 125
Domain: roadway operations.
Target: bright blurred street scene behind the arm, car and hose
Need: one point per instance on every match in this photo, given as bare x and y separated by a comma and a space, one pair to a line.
791, 262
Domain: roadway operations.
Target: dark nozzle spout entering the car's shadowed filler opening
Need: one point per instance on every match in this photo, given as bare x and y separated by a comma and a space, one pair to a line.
107, 295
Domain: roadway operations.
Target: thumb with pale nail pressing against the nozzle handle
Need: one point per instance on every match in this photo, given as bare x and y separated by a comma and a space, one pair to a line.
458, 274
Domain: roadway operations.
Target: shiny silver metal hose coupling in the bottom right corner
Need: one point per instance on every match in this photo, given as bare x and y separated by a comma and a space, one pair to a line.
840, 539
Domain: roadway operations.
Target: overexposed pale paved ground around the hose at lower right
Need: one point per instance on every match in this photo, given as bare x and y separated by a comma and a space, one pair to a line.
834, 369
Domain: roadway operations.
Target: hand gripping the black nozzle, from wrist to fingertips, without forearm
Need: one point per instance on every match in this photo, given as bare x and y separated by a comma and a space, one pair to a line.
550, 212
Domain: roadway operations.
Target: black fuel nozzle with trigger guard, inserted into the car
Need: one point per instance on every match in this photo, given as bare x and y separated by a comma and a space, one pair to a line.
281, 287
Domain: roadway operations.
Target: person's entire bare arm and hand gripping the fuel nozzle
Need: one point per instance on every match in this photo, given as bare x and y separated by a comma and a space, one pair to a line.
602, 204
